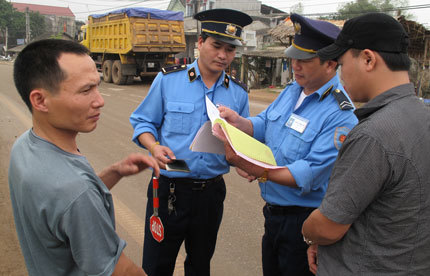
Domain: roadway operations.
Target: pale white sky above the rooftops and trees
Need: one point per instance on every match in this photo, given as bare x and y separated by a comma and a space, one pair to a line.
82, 8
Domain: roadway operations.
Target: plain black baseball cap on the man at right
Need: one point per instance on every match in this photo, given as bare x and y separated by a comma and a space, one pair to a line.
374, 31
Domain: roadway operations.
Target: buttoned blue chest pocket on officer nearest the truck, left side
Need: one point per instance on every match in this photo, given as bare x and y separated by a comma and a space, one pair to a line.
179, 117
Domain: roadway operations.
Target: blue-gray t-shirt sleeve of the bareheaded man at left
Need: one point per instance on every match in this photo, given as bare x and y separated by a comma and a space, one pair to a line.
90, 231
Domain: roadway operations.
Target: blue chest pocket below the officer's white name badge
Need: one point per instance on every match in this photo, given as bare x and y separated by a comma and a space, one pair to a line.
297, 145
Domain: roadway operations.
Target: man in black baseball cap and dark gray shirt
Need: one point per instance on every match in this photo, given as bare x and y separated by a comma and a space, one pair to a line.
374, 218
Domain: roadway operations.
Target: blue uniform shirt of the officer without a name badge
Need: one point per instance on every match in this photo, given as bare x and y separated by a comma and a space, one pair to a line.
175, 109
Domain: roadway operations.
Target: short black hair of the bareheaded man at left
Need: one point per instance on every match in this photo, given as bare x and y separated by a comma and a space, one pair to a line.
37, 66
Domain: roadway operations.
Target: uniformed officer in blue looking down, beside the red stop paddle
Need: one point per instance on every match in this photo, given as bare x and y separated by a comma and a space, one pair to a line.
165, 123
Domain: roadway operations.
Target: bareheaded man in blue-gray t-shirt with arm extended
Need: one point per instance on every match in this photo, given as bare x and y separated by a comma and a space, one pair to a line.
63, 210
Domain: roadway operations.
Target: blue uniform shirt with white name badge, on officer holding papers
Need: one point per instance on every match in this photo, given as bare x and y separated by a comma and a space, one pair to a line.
309, 155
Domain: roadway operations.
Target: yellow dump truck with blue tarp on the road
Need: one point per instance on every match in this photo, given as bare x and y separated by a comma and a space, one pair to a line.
133, 42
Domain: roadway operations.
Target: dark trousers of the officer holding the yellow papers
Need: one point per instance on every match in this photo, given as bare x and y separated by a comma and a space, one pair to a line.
283, 248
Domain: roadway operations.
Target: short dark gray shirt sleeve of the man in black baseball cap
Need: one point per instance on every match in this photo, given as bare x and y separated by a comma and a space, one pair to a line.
357, 178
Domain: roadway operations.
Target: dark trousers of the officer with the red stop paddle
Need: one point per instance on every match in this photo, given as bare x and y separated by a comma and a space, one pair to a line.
199, 208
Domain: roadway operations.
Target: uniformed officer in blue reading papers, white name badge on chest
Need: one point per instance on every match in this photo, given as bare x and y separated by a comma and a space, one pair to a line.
304, 127
